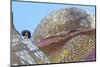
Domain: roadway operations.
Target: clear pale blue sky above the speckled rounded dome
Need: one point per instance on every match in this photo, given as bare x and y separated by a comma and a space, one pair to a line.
27, 15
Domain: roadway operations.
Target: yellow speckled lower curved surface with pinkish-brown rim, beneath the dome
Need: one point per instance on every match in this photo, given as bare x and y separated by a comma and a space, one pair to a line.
72, 47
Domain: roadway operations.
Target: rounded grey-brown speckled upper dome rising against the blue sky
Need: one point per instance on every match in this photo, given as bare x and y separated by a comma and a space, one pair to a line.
63, 20
